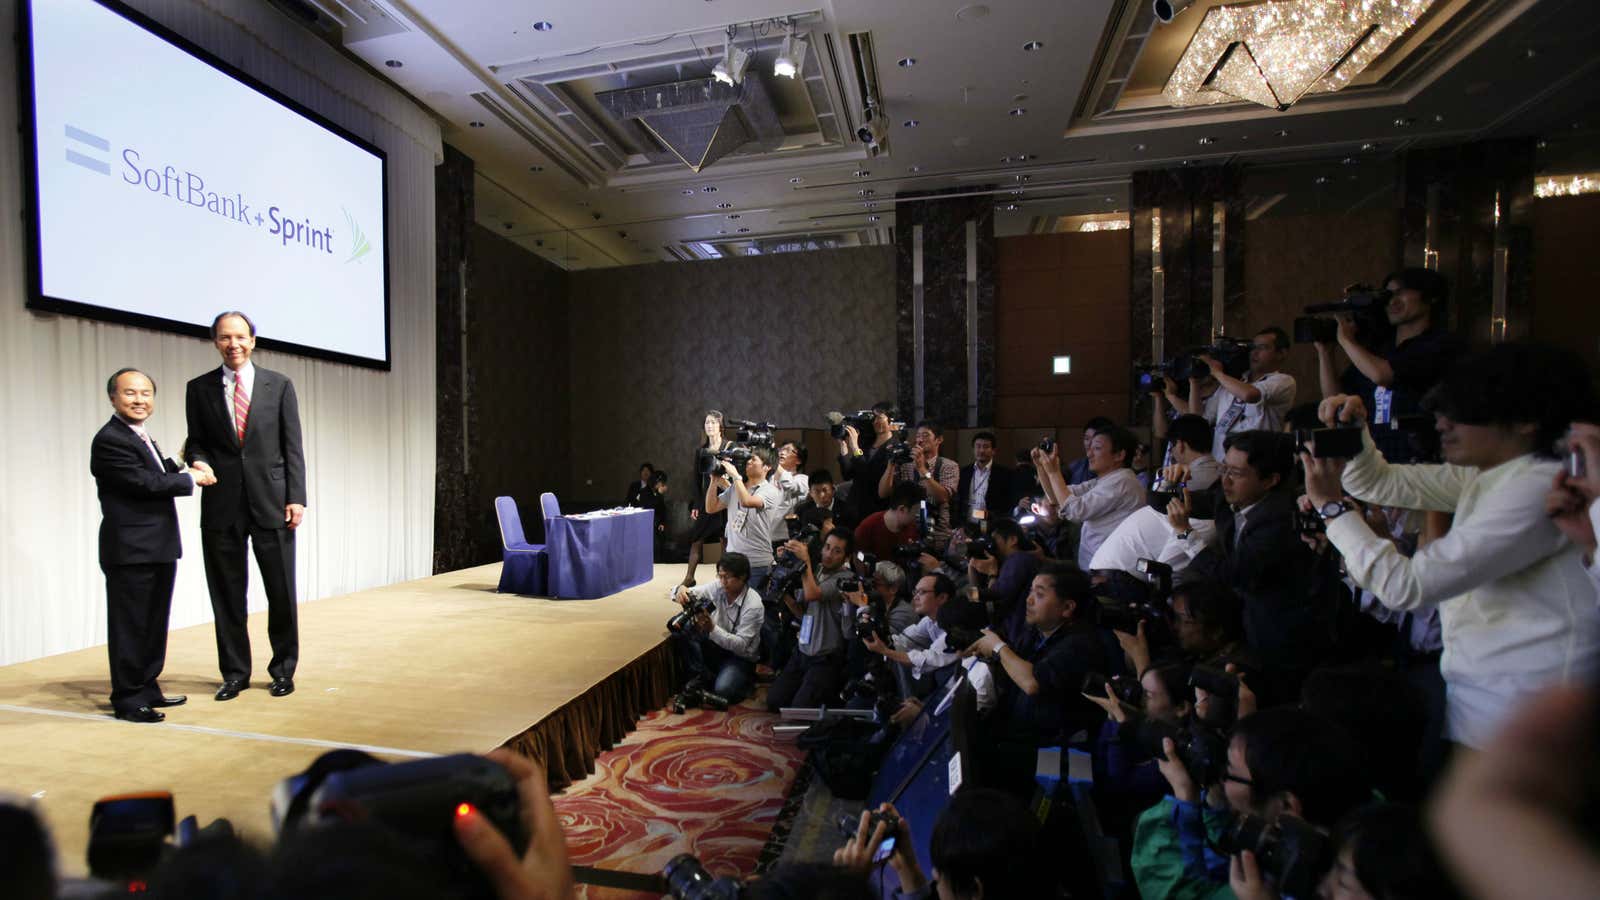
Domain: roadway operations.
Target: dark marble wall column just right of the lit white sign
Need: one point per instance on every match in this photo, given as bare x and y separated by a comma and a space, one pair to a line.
1202, 214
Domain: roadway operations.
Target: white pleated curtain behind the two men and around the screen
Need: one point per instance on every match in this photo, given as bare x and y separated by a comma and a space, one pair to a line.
369, 435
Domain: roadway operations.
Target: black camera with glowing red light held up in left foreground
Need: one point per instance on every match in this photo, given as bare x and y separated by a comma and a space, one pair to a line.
418, 800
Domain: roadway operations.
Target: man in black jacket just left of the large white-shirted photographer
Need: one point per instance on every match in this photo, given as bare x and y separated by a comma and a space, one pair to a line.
1257, 552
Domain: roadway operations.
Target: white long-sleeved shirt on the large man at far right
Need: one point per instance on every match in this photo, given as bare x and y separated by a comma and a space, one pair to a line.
1514, 603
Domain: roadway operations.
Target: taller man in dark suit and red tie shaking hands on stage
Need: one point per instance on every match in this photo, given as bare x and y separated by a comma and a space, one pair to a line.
246, 424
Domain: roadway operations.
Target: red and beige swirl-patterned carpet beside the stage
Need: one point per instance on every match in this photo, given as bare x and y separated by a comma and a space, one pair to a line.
706, 784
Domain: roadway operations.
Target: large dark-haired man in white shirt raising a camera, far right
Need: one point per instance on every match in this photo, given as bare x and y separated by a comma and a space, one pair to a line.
1518, 608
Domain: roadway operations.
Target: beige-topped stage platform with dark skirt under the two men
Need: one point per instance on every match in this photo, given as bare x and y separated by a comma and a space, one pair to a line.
428, 667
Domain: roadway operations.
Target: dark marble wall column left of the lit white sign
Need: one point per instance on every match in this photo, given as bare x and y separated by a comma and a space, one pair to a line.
938, 348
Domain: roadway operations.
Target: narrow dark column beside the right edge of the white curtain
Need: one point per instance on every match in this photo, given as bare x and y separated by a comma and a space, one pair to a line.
454, 516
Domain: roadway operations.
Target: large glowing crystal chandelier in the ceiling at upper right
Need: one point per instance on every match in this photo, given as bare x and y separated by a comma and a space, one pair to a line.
1278, 52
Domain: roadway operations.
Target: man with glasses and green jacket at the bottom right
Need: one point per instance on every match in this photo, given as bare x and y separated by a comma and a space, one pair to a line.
1281, 763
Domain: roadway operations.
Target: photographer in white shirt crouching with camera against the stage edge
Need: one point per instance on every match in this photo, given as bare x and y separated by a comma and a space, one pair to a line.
722, 633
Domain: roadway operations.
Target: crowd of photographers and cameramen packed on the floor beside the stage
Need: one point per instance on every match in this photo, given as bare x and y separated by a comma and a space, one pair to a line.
1337, 649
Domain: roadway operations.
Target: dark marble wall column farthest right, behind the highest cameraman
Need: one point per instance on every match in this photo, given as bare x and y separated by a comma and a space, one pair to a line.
1468, 212
